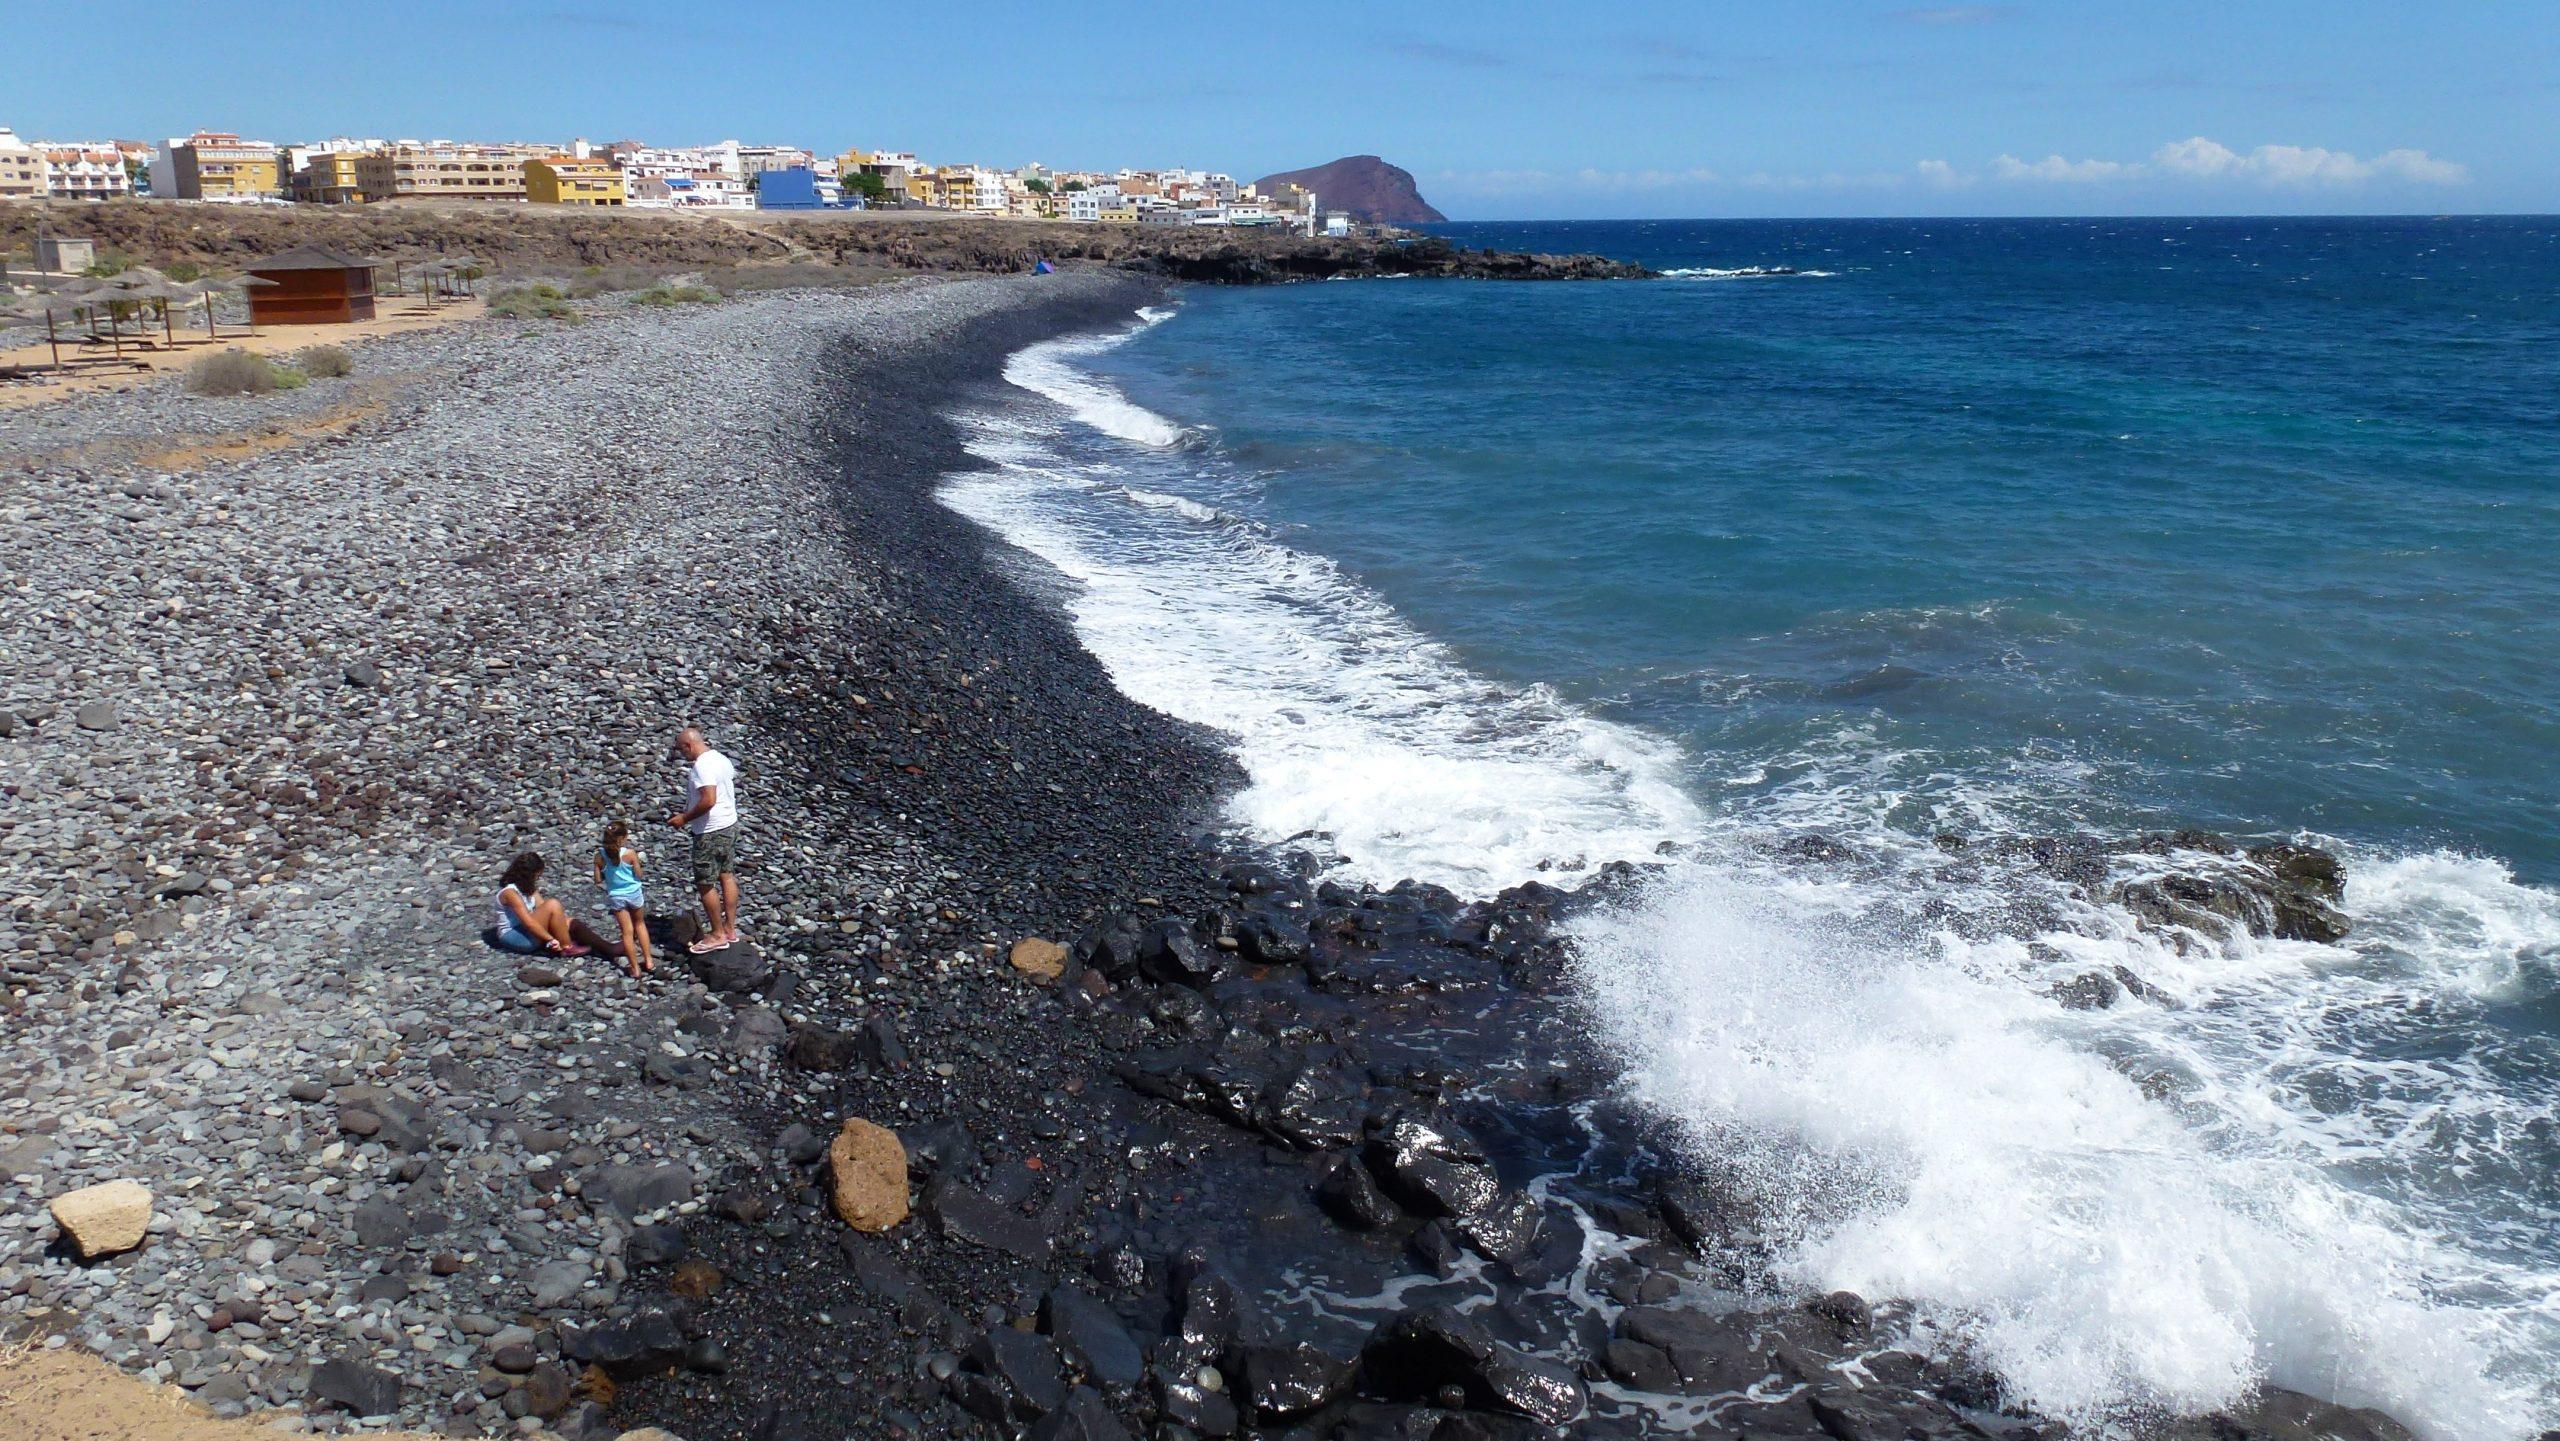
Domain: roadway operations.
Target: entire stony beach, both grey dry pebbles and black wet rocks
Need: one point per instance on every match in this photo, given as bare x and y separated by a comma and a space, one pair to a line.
1038, 1104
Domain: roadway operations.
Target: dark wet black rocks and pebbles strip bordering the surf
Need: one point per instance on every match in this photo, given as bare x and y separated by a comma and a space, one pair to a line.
1266, 1156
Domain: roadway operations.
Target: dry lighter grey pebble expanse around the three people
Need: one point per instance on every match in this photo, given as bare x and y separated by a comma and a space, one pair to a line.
270, 731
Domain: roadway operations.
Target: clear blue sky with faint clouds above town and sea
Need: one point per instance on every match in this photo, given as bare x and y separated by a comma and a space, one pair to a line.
1501, 109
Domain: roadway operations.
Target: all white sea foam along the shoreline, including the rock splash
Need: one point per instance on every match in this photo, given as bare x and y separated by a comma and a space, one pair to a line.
2159, 1204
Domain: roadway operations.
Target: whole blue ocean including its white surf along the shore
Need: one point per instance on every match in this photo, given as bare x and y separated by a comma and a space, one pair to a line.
1898, 531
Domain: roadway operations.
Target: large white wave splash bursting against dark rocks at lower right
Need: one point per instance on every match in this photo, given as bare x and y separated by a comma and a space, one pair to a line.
2116, 1209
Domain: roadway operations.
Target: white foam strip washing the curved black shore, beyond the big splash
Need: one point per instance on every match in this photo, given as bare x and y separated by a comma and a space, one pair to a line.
1345, 720
